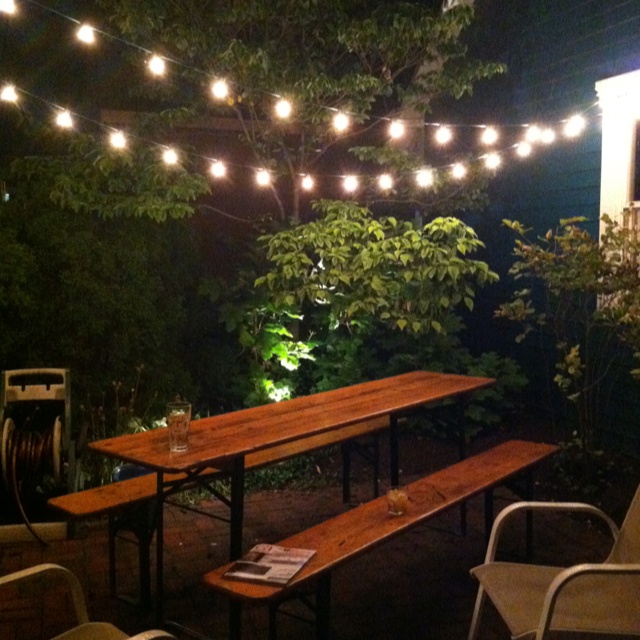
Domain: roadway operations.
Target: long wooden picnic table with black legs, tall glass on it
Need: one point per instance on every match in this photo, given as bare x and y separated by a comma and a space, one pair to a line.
223, 441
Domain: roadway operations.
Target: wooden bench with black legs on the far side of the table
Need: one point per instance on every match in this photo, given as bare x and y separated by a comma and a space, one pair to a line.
130, 504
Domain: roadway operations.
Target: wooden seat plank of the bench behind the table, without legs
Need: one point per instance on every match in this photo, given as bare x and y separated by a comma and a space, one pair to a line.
133, 491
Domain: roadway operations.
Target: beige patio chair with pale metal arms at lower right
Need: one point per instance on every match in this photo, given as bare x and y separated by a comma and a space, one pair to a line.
537, 601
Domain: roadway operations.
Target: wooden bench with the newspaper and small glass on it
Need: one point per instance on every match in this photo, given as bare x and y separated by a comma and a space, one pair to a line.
354, 532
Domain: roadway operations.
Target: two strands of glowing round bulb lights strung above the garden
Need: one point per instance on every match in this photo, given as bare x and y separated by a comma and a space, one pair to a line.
221, 90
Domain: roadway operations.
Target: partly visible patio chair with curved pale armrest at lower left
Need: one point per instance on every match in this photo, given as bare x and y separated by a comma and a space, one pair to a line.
84, 630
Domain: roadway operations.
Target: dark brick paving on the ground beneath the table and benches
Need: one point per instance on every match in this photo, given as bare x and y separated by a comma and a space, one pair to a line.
416, 586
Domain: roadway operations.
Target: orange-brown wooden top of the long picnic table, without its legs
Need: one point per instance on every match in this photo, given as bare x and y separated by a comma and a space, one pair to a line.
218, 440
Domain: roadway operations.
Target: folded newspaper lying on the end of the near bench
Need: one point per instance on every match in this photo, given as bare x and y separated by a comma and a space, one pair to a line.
269, 563
